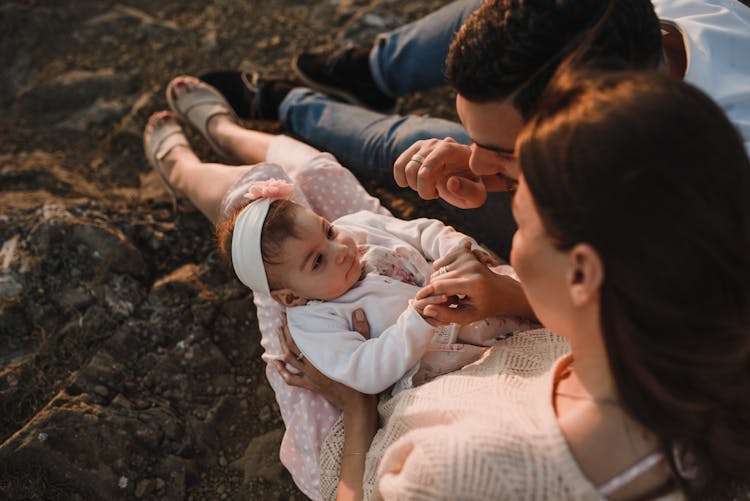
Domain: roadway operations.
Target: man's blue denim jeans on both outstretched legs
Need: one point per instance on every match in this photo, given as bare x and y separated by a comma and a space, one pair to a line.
407, 59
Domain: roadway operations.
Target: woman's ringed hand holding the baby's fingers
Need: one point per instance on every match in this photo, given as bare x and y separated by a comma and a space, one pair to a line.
482, 292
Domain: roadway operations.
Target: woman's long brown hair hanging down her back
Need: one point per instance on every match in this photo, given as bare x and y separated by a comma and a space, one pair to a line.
649, 171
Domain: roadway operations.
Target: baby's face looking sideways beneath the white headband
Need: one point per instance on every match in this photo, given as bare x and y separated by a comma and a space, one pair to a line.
321, 264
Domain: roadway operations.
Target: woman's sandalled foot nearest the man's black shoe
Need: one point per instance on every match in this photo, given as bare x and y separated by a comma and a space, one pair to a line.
205, 109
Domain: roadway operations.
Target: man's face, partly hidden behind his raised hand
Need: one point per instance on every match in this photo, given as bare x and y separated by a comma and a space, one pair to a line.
493, 127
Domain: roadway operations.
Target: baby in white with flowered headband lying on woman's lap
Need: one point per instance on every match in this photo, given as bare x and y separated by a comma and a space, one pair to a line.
322, 273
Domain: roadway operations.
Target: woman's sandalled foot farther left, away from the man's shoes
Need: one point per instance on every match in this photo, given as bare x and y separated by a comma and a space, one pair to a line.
165, 145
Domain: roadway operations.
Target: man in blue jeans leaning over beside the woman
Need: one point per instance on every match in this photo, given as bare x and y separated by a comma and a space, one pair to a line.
519, 38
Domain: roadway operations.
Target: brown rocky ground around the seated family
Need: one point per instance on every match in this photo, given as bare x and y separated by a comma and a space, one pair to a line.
129, 357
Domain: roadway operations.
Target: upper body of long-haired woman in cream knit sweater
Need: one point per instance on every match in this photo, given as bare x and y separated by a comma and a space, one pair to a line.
633, 245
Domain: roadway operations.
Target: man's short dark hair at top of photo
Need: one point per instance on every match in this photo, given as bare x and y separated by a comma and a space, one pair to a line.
511, 48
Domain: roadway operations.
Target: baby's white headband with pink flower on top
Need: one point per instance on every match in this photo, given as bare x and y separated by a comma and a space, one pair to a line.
247, 259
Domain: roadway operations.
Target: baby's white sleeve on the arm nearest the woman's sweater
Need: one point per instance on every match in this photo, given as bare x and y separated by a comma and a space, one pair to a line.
367, 365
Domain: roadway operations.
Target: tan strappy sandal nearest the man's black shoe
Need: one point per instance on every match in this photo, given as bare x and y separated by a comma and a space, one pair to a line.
198, 106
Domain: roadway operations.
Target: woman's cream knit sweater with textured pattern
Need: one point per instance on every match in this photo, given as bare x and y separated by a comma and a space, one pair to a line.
488, 431
